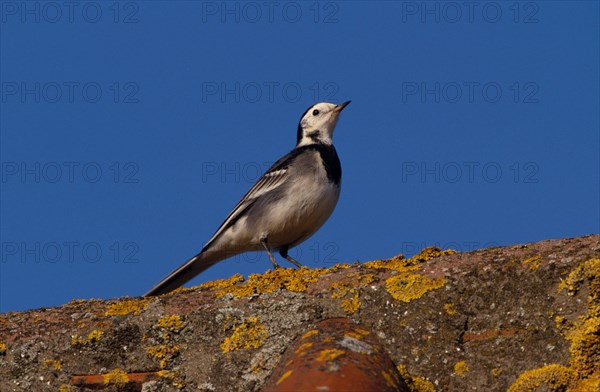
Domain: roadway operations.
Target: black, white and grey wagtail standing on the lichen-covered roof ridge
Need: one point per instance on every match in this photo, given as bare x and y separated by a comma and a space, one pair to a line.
285, 206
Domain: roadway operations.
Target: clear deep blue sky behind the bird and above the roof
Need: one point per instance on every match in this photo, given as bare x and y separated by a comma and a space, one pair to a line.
129, 130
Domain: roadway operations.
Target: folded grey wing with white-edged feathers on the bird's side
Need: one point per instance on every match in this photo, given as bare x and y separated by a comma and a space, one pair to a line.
268, 182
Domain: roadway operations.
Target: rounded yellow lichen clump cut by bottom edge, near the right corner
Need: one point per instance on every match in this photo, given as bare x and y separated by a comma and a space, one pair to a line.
555, 377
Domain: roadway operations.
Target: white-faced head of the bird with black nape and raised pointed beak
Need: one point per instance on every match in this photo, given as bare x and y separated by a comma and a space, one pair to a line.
318, 123
